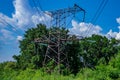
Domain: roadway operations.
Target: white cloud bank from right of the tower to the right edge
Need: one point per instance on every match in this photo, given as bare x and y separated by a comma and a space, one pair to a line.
87, 29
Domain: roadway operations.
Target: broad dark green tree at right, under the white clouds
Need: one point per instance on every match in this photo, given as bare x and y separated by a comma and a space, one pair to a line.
97, 49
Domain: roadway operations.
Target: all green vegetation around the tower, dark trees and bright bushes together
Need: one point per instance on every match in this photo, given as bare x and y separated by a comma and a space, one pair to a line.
92, 58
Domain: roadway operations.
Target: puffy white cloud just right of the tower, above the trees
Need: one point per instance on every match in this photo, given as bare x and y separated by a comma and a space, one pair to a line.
84, 29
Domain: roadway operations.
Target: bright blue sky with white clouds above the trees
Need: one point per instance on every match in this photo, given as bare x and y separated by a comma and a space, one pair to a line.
22, 14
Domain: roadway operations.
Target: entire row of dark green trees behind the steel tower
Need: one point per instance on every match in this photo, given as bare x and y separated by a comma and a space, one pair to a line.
87, 52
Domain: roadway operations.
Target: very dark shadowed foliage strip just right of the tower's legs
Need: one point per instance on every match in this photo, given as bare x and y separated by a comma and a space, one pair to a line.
73, 57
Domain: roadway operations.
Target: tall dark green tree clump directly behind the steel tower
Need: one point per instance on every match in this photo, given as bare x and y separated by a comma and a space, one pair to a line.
32, 54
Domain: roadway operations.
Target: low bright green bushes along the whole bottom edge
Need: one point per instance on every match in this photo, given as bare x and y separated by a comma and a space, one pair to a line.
102, 72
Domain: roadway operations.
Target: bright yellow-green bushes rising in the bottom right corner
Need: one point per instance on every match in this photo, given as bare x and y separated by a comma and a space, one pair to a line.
102, 71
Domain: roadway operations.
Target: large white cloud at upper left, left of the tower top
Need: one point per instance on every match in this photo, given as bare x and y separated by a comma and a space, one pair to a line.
24, 15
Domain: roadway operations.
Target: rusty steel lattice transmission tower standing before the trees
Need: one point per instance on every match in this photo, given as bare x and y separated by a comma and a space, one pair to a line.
56, 41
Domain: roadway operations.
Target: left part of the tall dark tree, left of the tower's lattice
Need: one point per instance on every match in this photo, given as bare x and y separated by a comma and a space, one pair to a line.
28, 56
